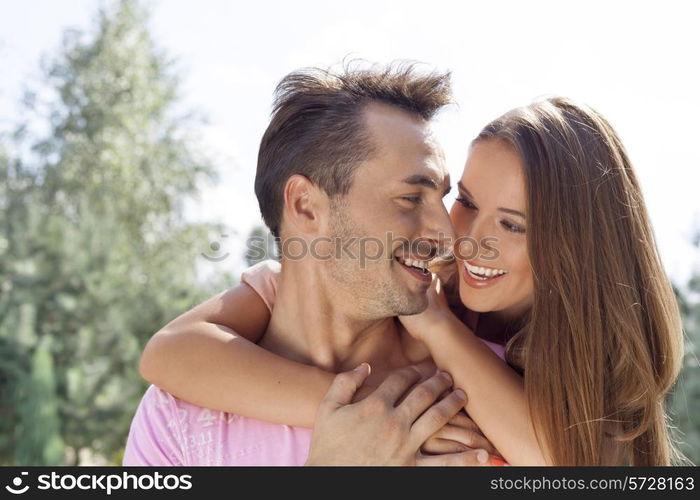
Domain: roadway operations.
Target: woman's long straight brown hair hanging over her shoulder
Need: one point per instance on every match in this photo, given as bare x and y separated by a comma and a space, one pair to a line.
603, 340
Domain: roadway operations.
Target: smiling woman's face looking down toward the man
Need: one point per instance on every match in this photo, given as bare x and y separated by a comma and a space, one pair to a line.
490, 210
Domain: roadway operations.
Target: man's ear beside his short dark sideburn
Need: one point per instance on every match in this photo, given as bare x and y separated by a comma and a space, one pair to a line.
303, 204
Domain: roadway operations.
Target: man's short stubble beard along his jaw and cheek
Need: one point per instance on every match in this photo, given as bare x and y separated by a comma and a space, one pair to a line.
376, 288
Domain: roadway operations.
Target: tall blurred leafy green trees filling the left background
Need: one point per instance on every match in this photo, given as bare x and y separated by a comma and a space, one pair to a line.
95, 254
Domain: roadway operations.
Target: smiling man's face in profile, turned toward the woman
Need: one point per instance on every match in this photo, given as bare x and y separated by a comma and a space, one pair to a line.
393, 217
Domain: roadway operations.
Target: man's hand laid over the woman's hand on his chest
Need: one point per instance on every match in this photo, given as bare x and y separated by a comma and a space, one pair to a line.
389, 426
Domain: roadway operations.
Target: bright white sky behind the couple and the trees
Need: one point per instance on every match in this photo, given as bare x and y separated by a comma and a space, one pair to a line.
636, 62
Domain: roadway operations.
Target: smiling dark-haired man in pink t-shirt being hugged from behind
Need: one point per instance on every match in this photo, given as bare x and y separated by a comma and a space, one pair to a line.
348, 162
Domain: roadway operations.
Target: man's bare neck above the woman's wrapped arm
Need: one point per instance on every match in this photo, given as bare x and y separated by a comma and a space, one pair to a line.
315, 322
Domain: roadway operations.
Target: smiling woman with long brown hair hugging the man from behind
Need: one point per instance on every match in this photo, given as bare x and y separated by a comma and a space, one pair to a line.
575, 290
